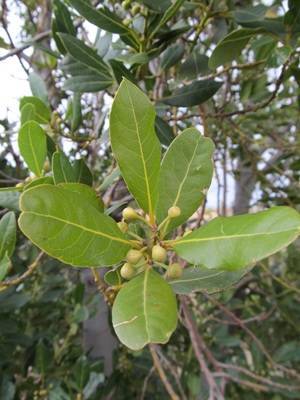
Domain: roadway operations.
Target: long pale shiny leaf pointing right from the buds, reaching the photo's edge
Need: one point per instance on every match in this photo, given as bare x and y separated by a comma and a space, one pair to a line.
232, 243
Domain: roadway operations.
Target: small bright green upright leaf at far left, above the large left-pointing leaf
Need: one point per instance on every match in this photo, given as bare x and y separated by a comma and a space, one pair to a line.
33, 146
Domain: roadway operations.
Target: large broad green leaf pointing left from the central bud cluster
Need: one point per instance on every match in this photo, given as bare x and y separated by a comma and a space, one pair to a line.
59, 222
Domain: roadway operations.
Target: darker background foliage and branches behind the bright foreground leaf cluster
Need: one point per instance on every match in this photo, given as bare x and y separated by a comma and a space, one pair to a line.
247, 337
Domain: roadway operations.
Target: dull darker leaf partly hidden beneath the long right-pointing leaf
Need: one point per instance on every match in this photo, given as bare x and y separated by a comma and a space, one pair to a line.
197, 279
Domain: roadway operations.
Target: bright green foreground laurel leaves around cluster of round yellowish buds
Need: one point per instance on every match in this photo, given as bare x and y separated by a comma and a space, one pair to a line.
64, 216
